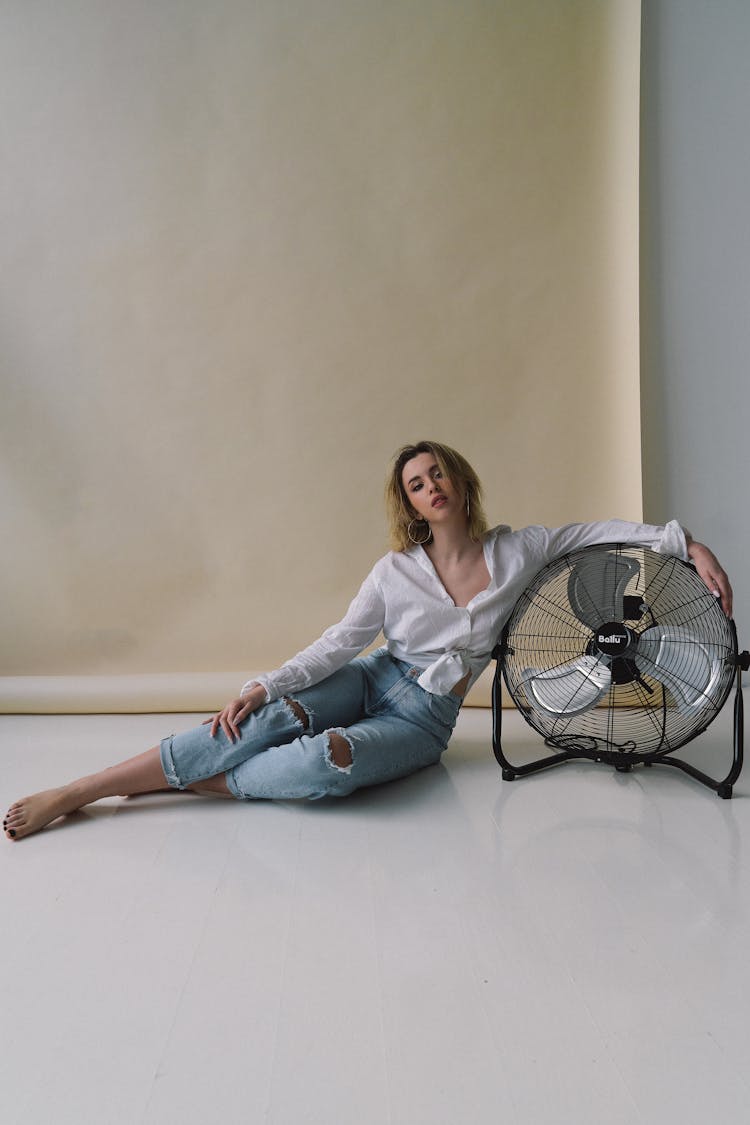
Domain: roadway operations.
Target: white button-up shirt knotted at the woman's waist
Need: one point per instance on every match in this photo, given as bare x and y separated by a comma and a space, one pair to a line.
404, 599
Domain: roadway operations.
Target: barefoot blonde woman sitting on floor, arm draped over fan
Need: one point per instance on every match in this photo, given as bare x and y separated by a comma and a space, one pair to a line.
328, 722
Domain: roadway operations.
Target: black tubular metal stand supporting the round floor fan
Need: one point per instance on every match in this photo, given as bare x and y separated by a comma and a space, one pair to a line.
624, 762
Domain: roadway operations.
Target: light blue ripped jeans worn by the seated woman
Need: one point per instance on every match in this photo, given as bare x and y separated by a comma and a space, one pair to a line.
392, 725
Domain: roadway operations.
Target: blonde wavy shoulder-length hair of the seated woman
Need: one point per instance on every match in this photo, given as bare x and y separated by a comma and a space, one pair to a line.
454, 466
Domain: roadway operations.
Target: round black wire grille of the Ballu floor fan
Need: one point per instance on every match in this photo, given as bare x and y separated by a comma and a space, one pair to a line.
643, 709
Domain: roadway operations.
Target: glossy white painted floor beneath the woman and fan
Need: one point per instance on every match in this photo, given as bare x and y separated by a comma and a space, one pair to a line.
571, 948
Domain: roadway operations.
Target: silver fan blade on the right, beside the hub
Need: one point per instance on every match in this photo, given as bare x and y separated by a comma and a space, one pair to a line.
679, 660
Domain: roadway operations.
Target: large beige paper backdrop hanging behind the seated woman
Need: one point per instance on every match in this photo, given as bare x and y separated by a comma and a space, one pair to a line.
251, 249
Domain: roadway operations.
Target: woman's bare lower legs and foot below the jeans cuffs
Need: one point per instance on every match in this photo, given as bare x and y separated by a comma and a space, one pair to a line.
141, 775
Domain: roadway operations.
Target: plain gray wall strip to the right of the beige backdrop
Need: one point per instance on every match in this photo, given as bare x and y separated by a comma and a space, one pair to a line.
695, 275
